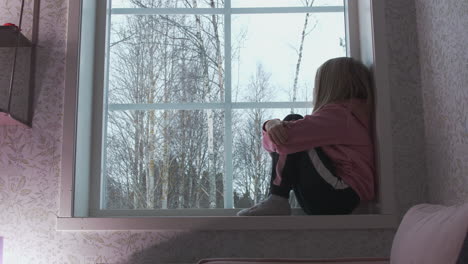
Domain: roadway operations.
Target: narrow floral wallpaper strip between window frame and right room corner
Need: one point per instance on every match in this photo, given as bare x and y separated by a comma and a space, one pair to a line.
406, 103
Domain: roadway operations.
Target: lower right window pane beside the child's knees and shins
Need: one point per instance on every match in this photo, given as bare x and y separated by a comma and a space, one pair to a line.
252, 164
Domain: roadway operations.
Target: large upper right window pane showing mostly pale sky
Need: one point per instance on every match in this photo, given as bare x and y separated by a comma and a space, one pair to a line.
266, 52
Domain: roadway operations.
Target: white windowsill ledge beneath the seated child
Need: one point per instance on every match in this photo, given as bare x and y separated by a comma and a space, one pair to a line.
229, 223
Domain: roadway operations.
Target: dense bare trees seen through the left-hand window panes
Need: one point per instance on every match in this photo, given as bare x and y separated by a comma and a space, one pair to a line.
164, 157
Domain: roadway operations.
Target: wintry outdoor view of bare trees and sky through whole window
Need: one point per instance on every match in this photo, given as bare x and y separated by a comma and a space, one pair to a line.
182, 126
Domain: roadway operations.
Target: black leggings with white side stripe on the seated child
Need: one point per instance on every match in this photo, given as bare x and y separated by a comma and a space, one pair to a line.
314, 194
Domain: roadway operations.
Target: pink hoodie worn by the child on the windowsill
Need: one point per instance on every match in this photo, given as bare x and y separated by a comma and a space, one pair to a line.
344, 132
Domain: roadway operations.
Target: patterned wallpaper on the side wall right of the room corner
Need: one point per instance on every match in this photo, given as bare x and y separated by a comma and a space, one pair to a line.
443, 40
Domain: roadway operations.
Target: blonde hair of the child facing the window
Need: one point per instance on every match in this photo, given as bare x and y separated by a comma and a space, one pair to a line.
341, 79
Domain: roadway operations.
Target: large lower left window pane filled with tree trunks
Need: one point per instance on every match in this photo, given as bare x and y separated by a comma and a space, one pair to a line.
165, 159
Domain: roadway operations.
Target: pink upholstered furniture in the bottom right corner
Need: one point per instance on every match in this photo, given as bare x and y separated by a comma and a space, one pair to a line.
428, 234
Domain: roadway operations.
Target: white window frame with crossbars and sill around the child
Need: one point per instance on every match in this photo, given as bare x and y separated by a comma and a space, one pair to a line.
365, 26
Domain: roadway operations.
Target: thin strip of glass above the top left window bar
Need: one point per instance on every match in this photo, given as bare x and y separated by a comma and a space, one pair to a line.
167, 4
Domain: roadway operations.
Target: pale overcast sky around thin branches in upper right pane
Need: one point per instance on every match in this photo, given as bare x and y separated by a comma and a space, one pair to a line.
274, 39
